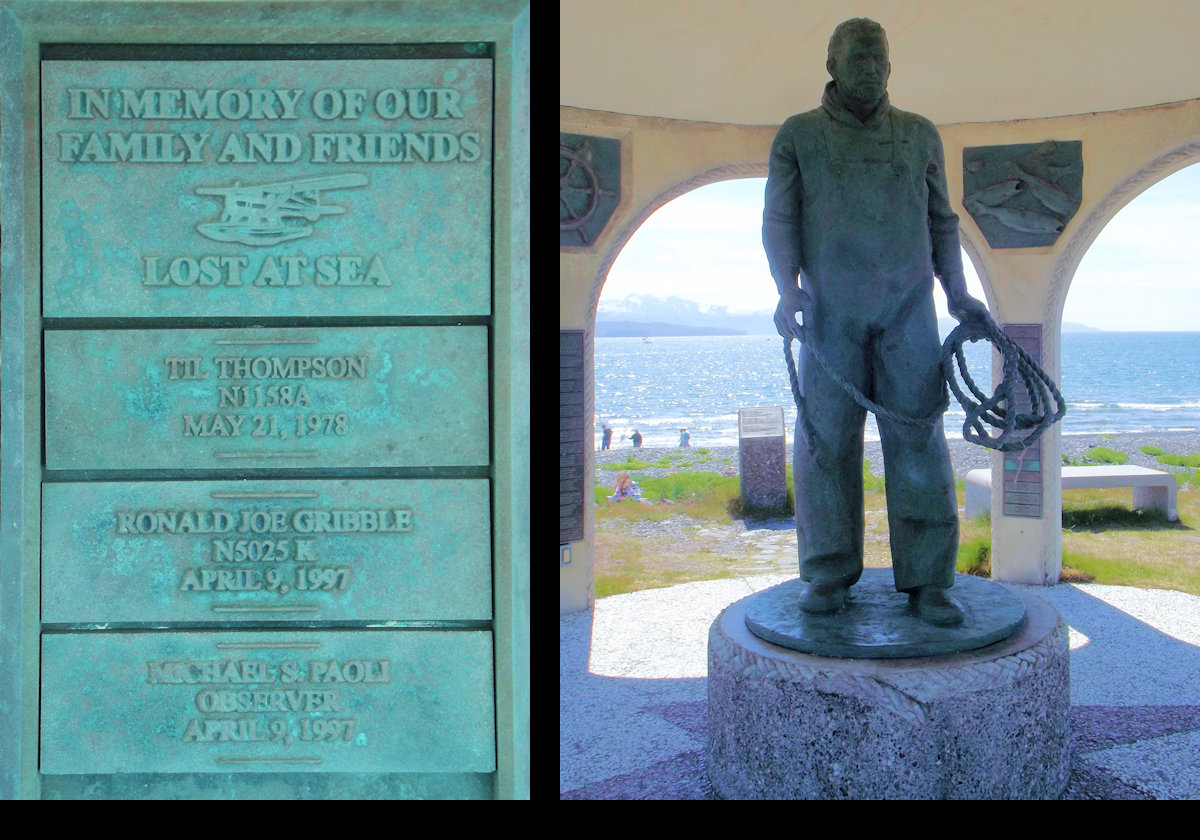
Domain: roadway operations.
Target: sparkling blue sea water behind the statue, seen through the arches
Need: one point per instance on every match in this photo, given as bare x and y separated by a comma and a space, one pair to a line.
1113, 382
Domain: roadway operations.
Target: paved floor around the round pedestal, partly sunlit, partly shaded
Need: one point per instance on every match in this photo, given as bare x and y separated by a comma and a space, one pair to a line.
633, 692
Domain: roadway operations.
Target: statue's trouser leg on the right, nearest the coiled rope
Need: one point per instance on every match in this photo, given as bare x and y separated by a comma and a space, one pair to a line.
922, 507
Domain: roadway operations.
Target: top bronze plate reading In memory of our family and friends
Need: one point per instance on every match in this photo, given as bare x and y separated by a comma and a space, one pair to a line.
274, 188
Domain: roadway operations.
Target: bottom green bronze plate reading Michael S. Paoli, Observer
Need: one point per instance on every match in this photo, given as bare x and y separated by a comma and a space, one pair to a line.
350, 703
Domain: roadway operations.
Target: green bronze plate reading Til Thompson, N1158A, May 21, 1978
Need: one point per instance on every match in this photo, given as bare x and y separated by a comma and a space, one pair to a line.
349, 399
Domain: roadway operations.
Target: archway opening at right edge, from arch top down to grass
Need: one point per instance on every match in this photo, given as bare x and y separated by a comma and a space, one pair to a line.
1132, 381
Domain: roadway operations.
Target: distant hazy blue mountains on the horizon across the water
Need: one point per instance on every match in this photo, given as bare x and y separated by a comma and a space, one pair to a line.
644, 316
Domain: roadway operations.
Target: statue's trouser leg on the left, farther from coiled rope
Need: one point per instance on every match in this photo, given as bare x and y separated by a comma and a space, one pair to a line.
827, 464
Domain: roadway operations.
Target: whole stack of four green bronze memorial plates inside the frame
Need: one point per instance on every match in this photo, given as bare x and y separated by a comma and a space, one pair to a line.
267, 513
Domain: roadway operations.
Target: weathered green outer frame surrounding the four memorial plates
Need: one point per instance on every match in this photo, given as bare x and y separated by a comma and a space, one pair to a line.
35, 31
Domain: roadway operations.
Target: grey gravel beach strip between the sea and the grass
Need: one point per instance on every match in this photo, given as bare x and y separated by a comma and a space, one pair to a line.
964, 455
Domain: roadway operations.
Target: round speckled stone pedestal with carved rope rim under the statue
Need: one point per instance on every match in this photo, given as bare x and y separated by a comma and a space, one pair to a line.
989, 724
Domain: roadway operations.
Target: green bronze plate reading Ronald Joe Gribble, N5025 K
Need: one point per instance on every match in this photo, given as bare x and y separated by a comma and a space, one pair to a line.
194, 553
